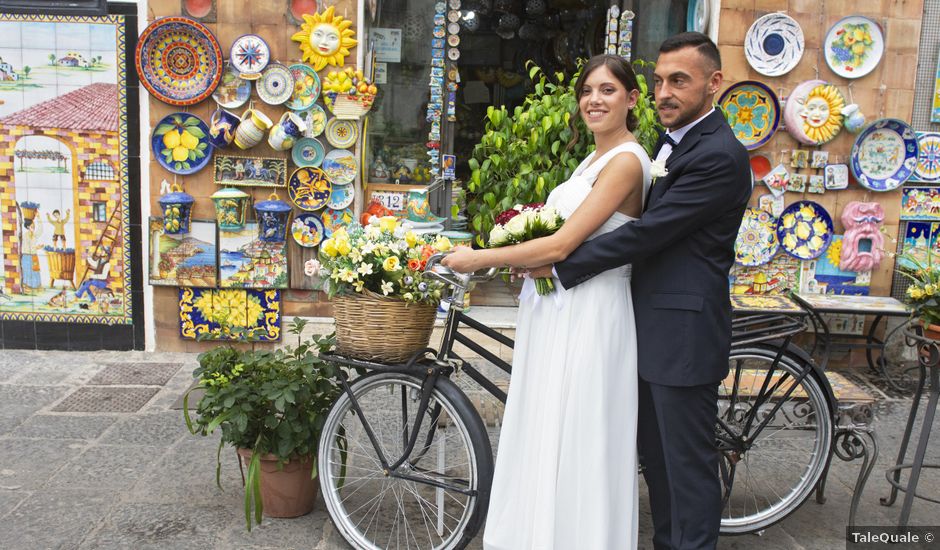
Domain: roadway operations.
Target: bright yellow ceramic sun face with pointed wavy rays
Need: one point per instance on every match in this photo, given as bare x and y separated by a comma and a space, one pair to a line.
325, 39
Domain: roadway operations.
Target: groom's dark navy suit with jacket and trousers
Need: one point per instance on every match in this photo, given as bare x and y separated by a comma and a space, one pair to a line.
682, 249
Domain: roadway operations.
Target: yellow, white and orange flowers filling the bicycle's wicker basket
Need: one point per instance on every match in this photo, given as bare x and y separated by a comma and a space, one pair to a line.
383, 258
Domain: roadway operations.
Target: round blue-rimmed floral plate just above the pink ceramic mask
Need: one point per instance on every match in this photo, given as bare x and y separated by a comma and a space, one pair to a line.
884, 155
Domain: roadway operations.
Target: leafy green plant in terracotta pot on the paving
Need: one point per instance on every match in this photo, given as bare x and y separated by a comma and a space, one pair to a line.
270, 405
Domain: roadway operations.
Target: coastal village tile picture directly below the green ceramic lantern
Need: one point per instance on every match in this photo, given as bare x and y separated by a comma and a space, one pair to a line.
245, 261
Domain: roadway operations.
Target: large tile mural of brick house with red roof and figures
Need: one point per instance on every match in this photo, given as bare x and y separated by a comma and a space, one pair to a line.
65, 255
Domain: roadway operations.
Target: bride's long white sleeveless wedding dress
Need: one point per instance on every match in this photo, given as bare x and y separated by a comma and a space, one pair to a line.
566, 471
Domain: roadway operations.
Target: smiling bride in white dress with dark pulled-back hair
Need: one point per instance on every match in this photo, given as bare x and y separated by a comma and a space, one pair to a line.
566, 466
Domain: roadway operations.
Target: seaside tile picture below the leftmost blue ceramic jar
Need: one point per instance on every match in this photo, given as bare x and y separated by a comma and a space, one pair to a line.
187, 259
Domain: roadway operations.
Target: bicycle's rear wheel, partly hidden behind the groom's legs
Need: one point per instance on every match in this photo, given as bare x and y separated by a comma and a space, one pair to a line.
774, 439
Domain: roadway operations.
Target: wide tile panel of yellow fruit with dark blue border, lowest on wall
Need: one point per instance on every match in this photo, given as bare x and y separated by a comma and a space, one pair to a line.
230, 314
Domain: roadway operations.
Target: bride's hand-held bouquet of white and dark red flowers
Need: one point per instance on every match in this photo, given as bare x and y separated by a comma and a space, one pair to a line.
524, 223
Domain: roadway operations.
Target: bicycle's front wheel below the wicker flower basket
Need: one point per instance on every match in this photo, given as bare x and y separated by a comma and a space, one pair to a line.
442, 502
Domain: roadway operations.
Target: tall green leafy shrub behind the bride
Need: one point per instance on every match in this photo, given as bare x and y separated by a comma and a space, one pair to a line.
523, 155
